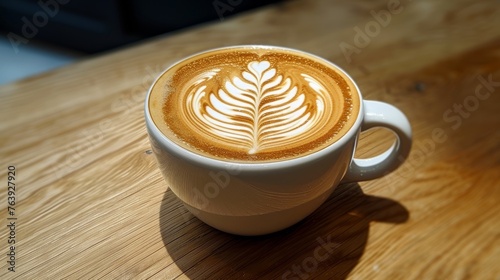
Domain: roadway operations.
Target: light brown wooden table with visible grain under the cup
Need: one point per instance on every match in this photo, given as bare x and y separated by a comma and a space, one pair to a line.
90, 202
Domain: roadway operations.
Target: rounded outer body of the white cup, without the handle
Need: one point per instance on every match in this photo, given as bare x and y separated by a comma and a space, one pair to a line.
258, 200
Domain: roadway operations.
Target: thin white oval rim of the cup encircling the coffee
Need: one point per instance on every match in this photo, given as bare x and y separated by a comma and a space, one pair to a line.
220, 164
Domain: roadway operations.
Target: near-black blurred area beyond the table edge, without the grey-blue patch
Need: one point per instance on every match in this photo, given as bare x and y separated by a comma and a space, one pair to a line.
92, 26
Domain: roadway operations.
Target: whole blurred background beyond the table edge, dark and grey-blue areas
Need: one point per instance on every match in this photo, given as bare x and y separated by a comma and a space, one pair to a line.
70, 29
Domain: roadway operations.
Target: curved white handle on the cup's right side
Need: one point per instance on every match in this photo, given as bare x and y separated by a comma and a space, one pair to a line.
380, 114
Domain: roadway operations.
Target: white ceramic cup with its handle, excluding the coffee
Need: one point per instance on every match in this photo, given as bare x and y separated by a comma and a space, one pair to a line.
264, 197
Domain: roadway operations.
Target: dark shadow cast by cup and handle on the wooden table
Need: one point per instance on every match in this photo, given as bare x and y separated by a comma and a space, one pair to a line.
327, 244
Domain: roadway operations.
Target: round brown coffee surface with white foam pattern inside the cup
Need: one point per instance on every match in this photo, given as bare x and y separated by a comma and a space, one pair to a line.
252, 104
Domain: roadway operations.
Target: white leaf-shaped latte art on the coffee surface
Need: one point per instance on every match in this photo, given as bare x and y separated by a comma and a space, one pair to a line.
259, 109
